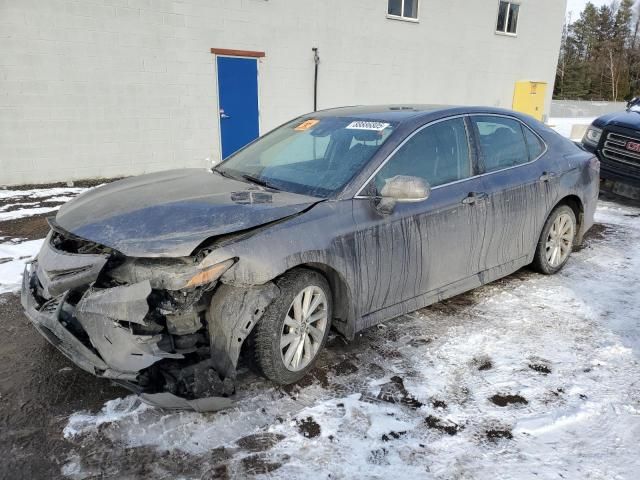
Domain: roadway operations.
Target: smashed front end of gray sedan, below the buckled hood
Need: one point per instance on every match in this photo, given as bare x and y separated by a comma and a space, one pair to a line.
165, 328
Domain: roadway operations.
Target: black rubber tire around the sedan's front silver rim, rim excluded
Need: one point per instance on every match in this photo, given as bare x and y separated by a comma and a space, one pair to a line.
266, 334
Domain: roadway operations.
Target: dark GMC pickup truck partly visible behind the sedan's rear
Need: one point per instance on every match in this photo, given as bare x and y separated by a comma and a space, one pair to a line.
615, 139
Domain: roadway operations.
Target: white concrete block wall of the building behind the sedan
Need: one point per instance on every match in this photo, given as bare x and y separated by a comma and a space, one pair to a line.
100, 88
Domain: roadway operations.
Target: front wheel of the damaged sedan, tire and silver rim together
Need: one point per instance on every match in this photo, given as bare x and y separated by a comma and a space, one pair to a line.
294, 327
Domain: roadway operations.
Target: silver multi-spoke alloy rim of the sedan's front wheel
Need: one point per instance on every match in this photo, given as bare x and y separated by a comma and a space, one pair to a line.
304, 327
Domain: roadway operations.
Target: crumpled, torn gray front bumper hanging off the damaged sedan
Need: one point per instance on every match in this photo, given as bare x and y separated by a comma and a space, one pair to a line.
92, 333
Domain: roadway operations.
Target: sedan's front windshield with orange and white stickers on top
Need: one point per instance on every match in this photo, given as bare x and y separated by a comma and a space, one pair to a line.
311, 156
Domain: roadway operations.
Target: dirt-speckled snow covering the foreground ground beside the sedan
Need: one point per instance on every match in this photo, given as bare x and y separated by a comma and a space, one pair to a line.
529, 377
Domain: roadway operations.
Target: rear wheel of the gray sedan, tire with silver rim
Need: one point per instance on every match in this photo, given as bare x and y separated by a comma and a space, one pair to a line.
556, 241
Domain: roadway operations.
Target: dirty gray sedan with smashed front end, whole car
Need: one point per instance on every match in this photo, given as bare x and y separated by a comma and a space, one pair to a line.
339, 219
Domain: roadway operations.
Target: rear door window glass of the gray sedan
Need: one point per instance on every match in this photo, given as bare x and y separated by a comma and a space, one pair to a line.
502, 142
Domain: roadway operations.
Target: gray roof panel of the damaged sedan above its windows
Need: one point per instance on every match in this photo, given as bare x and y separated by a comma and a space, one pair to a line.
403, 112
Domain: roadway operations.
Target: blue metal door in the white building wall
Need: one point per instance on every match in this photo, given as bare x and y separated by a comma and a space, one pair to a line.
238, 100
